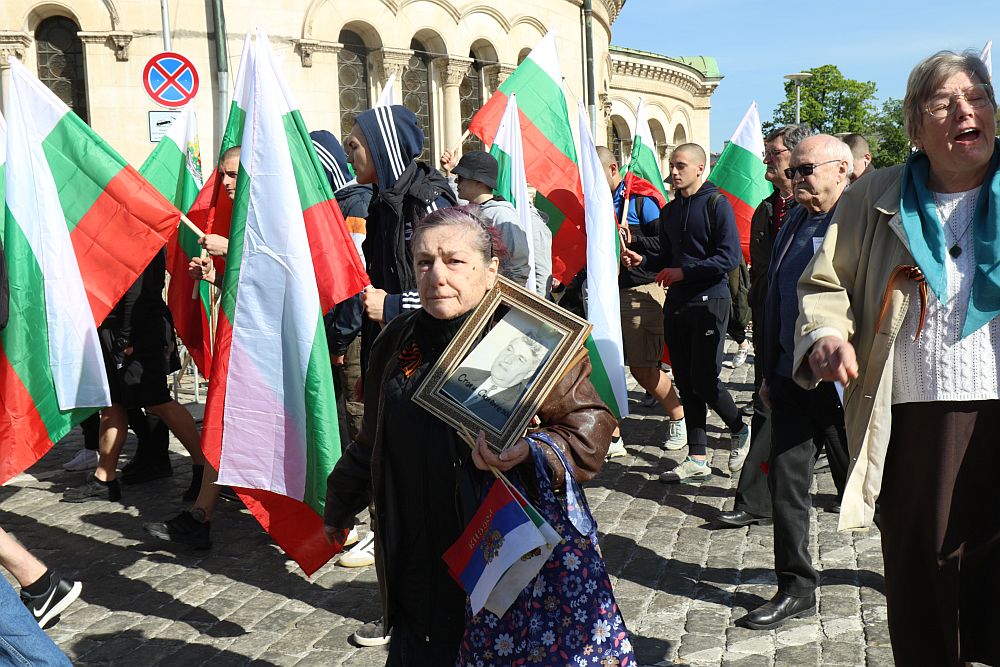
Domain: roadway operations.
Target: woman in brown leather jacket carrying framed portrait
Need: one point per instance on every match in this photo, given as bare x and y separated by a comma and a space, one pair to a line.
427, 483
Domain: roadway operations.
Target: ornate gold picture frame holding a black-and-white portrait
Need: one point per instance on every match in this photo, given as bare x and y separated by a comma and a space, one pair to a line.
502, 364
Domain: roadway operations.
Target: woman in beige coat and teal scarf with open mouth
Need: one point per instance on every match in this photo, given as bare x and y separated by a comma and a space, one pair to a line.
901, 304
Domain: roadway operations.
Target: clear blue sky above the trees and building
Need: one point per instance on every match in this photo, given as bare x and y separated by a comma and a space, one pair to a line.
757, 42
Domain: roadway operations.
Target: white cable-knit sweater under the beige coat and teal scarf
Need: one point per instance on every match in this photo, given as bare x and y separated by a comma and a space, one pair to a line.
939, 366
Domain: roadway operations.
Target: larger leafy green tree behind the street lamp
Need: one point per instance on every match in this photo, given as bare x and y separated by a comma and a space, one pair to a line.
831, 103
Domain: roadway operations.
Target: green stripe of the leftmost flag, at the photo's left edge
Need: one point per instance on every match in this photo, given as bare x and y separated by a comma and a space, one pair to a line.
25, 339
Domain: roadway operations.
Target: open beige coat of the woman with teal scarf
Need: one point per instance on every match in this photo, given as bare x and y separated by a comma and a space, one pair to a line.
841, 294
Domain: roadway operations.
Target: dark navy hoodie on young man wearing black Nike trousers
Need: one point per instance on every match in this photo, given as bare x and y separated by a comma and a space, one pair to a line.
706, 252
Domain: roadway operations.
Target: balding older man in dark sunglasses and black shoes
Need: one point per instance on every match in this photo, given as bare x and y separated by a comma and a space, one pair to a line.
802, 420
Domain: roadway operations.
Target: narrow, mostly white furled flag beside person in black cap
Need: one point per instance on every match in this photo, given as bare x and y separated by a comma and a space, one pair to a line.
511, 182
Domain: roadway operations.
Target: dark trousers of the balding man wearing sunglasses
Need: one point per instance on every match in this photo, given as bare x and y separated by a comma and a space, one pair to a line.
802, 421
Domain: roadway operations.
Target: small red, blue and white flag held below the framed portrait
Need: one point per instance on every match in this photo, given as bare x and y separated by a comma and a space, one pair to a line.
497, 537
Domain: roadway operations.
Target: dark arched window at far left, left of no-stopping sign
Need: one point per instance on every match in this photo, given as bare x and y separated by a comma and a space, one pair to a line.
60, 62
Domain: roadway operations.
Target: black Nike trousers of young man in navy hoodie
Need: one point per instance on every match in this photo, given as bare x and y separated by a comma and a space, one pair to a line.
695, 333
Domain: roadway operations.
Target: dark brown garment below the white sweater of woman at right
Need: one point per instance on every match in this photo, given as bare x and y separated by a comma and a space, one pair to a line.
940, 520
